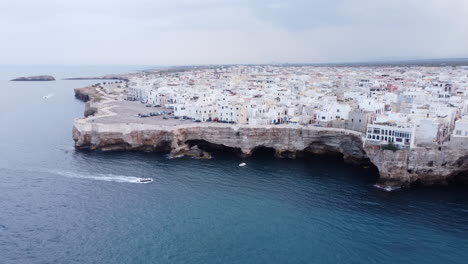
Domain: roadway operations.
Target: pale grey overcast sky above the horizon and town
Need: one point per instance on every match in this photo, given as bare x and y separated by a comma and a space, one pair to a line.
177, 32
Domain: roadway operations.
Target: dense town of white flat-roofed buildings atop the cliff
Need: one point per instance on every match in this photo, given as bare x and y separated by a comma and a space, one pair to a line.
403, 106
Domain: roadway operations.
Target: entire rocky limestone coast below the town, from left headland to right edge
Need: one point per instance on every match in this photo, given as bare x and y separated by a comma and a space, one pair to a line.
400, 168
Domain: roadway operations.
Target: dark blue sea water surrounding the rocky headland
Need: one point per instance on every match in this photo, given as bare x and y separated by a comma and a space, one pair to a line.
58, 205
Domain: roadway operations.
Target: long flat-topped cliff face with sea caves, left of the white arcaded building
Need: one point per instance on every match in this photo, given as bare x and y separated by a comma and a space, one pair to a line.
286, 141
